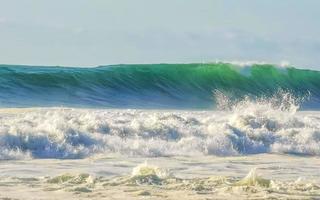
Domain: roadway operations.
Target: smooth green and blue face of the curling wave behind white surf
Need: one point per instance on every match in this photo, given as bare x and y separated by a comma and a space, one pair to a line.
181, 86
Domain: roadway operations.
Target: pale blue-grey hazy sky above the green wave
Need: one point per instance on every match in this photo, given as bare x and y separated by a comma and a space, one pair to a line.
101, 32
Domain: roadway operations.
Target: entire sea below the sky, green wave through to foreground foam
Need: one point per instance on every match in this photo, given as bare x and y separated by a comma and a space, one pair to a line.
193, 131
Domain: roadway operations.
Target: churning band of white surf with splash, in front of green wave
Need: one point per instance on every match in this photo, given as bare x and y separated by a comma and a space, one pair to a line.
248, 127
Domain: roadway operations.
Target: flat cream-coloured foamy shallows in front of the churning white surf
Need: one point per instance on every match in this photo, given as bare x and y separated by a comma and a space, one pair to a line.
117, 177
